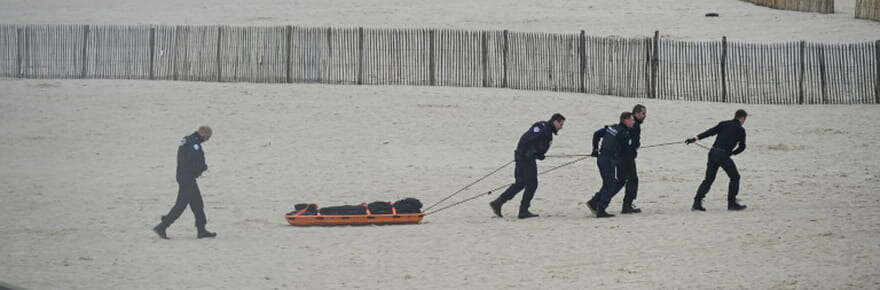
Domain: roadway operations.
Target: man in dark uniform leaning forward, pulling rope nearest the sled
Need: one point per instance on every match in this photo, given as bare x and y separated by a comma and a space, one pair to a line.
533, 144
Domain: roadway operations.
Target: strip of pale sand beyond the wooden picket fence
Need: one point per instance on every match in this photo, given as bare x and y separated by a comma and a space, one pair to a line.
676, 19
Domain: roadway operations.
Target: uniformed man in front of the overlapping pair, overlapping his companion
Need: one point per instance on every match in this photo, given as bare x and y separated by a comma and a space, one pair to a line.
616, 140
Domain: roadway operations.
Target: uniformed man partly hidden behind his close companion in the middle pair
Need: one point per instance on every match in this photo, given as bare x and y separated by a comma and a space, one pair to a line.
627, 163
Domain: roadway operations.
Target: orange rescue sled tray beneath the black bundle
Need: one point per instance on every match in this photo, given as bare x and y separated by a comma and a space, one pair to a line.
298, 219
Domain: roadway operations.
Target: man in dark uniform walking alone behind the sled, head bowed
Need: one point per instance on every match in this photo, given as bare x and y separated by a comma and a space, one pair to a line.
190, 165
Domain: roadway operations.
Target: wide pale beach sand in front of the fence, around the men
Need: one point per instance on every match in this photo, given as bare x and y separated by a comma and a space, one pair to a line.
87, 168
